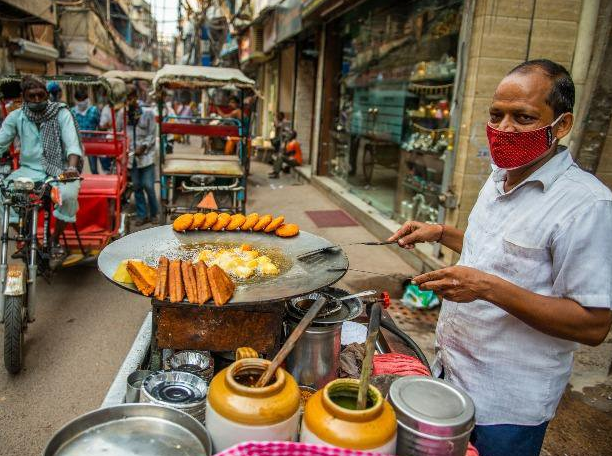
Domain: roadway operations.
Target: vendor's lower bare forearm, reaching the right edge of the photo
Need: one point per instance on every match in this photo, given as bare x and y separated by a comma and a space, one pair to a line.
558, 317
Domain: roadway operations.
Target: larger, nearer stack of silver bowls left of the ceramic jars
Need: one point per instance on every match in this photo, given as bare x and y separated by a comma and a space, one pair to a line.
178, 390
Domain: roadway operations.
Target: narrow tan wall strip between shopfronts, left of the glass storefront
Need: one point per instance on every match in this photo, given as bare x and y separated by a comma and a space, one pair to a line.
304, 101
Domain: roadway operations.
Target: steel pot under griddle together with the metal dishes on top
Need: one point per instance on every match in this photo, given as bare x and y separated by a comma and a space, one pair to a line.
315, 359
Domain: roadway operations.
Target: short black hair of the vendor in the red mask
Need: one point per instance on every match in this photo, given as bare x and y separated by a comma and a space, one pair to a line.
563, 93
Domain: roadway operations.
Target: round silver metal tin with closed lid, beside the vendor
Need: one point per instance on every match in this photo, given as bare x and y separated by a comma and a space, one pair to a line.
434, 417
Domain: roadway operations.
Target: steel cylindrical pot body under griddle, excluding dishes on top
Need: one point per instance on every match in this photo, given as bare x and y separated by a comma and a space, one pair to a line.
315, 359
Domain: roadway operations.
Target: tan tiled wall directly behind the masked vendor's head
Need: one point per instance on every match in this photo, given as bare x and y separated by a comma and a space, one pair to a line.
498, 42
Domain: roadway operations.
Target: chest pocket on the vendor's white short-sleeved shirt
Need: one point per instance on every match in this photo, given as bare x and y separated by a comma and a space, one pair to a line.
525, 259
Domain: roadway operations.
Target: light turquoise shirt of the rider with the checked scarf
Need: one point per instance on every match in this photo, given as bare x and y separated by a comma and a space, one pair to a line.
17, 124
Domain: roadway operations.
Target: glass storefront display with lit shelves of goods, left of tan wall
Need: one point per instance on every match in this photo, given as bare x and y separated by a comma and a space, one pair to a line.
391, 136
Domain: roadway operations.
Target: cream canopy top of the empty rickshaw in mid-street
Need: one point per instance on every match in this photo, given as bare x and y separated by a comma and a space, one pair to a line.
199, 77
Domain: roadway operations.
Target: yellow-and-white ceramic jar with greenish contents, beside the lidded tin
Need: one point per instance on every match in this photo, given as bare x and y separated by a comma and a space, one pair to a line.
330, 418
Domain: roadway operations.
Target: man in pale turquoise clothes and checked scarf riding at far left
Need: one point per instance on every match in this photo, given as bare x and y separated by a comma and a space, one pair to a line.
50, 146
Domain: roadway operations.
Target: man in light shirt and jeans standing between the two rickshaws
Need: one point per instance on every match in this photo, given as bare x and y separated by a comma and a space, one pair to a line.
141, 128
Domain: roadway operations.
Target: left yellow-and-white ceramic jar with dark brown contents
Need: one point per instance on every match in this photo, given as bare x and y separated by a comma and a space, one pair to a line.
236, 412
